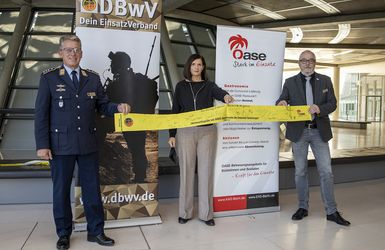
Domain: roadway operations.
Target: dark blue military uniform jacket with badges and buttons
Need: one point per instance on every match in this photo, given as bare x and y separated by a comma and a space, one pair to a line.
65, 117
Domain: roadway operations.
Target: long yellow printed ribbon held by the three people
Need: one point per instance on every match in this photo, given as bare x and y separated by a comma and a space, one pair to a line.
234, 113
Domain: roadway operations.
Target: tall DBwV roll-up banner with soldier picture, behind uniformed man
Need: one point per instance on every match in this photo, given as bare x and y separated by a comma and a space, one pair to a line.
121, 42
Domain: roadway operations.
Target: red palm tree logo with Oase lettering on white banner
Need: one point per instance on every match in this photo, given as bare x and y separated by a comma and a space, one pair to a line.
238, 46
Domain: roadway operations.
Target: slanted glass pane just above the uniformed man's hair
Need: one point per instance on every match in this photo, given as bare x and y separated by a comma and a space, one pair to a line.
45, 21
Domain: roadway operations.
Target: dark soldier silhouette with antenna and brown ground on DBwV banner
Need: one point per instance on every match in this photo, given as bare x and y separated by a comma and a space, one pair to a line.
128, 150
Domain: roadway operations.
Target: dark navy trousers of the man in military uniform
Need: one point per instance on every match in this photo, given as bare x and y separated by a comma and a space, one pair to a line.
62, 168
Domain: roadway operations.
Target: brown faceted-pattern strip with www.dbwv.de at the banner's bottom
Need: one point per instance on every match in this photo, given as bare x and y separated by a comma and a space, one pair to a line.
123, 201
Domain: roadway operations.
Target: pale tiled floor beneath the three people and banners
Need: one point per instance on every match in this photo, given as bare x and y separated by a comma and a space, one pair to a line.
363, 203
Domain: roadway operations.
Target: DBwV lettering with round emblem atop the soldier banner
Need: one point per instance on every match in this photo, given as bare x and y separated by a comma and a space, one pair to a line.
119, 7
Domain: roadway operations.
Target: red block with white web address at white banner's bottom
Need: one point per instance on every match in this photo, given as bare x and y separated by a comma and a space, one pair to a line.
227, 203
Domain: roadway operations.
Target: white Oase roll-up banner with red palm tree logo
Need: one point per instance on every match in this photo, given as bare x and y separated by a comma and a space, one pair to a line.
249, 64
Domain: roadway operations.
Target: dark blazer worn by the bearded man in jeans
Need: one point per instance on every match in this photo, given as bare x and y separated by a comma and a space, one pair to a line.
293, 93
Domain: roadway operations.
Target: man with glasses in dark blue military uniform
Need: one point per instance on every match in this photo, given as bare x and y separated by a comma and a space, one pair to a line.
65, 132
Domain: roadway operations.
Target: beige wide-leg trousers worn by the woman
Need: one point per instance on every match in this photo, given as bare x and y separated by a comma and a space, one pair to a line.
196, 144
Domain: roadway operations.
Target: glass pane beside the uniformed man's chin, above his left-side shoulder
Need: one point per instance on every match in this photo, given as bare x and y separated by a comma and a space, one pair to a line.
30, 71
